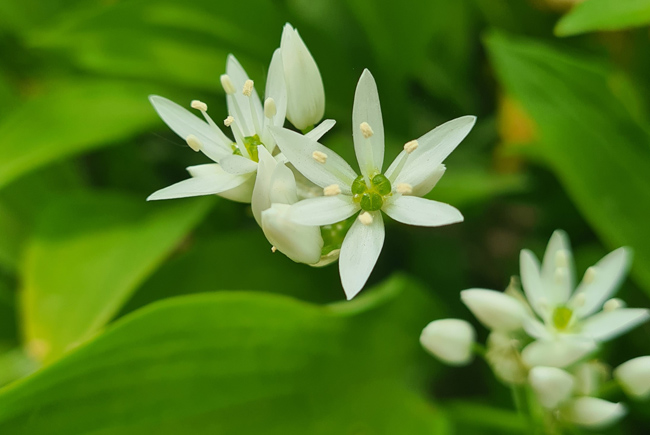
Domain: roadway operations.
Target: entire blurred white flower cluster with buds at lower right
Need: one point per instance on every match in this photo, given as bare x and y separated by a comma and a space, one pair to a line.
546, 338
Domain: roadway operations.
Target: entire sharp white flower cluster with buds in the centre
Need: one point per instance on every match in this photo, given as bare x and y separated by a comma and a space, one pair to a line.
311, 205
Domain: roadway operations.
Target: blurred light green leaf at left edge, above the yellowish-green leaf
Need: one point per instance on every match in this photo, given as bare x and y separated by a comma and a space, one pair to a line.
69, 118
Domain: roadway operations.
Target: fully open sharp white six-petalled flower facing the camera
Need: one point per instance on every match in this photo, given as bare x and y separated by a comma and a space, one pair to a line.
396, 191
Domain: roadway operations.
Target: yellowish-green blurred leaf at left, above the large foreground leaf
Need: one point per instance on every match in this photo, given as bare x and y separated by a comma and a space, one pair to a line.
86, 256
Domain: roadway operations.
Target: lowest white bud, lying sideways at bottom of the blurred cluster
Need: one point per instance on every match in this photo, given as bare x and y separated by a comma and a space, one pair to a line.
592, 412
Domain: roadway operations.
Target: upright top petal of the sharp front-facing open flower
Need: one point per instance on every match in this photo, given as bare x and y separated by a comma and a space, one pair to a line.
369, 151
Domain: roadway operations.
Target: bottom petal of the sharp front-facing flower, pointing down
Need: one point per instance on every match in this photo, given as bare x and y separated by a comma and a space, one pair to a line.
359, 253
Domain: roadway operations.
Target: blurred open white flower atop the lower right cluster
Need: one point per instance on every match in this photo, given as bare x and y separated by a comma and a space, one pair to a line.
565, 324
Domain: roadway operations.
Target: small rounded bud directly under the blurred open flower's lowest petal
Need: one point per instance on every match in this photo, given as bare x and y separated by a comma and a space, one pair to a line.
551, 385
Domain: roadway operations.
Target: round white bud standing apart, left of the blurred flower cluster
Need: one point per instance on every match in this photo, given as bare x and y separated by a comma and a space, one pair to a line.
450, 340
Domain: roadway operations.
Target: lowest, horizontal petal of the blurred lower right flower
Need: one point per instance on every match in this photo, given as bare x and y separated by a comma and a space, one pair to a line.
557, 353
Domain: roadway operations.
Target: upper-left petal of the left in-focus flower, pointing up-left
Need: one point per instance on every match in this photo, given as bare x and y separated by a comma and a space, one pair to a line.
184, 123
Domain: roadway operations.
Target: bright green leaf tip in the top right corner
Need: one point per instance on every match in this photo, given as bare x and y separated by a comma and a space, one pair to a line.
594, 15
